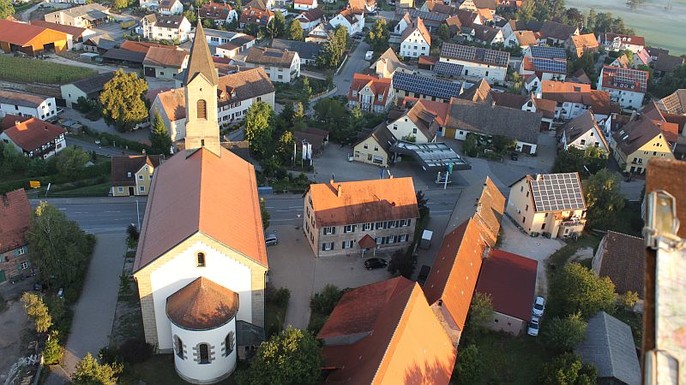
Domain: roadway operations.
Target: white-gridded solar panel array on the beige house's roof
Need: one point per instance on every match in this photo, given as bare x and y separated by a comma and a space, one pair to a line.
557, 192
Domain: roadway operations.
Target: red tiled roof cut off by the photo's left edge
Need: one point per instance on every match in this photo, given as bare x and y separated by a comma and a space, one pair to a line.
15, 215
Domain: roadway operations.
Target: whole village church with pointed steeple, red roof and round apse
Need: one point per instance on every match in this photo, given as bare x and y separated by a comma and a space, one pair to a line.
201, 261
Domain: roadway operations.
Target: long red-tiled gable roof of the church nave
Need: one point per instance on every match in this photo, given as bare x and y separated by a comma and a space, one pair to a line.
205, 190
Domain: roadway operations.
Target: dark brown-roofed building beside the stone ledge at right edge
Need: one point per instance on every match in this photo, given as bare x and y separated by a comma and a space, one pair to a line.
621, 258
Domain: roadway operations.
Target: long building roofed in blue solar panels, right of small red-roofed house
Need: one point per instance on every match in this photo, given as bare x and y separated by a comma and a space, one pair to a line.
425, 87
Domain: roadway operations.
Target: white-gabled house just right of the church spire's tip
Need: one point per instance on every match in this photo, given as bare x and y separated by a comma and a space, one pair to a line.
282, 66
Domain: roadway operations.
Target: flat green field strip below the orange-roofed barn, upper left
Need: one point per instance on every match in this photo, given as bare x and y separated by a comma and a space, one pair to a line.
25, 70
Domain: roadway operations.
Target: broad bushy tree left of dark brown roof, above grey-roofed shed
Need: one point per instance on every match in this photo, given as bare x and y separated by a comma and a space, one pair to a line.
577, 289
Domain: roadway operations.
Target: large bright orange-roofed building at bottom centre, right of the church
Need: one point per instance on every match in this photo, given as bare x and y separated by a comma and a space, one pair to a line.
382, 332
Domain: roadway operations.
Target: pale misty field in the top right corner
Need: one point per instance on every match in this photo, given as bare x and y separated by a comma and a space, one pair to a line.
660, 26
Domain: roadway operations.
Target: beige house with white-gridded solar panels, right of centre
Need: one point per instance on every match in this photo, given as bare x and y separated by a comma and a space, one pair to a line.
552, 205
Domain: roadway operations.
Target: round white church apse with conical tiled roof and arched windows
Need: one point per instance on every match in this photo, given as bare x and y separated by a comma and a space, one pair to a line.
203, 326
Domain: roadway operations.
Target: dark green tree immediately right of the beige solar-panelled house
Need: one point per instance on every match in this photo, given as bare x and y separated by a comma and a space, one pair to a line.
603, 198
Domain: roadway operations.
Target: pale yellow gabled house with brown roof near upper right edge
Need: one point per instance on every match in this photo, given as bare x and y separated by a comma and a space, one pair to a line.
637, 142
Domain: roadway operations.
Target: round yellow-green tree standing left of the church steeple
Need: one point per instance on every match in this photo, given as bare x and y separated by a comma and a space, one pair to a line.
122, 100
